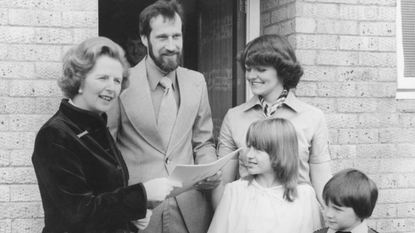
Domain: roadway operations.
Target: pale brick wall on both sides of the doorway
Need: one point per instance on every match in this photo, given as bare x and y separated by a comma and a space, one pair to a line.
347, 48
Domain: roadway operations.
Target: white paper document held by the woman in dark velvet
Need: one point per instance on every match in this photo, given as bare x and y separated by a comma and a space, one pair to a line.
189, 175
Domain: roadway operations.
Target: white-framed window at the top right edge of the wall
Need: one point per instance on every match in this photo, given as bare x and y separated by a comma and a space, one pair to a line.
405, 35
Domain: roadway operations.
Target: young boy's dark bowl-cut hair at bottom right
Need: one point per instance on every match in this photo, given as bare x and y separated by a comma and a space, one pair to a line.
352, 188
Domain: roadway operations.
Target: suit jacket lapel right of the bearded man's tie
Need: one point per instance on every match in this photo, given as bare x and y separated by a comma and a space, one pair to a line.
189, 98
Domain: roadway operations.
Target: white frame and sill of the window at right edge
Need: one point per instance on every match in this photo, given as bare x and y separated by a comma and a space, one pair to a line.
405, 86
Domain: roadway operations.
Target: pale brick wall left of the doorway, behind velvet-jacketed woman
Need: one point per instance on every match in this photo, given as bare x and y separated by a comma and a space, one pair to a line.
34, 34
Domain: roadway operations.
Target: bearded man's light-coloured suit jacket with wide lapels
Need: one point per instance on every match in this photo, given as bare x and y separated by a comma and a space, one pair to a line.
133, 125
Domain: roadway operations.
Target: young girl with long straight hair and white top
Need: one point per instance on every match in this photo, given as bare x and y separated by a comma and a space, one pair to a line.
270, 199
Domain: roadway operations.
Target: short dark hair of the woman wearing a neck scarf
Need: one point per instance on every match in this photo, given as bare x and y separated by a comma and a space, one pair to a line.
273, 50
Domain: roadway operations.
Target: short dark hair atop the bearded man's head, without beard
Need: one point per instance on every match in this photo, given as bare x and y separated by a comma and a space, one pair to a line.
165, 8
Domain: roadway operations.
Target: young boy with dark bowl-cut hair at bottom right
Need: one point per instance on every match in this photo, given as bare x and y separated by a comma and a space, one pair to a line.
350, 197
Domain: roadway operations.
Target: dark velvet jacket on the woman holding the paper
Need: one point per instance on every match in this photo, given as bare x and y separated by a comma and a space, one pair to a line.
82, 176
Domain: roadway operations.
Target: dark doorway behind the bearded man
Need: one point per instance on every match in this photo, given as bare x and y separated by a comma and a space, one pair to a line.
214, 33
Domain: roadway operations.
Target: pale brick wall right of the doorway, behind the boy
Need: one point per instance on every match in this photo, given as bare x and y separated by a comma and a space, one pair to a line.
347, 48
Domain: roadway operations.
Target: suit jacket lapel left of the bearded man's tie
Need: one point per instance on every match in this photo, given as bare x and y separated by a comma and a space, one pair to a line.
137, 103
